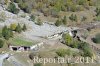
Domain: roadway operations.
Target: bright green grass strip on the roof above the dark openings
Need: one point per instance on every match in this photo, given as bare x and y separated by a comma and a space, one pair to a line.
22, 42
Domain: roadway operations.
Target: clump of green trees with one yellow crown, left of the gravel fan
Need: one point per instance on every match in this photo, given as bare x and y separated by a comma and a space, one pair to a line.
8, 32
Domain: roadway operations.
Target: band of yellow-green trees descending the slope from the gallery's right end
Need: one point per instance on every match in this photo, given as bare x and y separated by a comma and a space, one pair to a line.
74, 43
